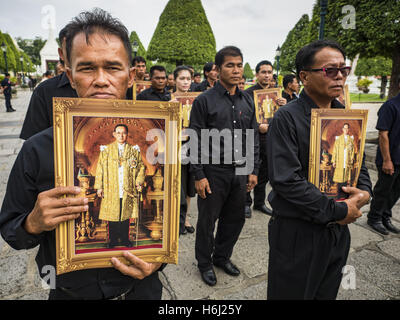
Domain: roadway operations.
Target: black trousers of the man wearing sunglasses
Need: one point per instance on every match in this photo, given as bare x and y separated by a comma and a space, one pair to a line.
305, 259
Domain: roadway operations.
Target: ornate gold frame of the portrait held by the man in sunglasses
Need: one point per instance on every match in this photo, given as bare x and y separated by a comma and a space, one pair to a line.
317, 115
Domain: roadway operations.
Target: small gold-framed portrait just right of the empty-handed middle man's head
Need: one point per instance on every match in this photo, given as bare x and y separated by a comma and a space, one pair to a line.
266, 104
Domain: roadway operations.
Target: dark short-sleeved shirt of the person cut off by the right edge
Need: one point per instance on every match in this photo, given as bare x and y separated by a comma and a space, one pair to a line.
389, 120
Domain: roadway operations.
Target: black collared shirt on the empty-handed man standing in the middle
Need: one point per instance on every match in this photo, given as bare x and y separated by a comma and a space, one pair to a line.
217, 109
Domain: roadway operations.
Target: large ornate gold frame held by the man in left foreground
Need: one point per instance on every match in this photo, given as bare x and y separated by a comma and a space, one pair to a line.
64, 110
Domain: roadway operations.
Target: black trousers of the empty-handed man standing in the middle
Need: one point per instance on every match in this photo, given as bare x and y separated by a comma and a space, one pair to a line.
226, 203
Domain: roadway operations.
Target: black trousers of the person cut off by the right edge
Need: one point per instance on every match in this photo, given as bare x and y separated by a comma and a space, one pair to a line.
386, 193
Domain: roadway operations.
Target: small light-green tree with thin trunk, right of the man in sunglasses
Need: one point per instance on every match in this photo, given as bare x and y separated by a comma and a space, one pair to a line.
377, 66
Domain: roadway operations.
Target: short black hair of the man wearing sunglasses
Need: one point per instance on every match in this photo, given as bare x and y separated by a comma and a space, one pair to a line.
305, 56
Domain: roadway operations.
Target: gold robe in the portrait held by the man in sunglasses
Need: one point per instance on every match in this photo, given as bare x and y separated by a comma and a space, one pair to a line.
343, 158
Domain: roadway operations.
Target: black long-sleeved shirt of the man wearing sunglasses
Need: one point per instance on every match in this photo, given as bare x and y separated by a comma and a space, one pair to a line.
288, 145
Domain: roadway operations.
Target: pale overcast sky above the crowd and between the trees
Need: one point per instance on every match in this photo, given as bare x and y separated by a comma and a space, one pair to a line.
257, 27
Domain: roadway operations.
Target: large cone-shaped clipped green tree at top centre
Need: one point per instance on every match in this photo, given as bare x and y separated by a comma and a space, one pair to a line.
183, 35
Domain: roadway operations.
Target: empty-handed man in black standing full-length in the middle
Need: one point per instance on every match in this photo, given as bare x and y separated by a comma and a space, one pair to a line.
220, 117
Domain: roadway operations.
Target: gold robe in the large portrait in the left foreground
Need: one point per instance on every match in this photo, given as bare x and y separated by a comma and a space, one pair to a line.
107, 179
